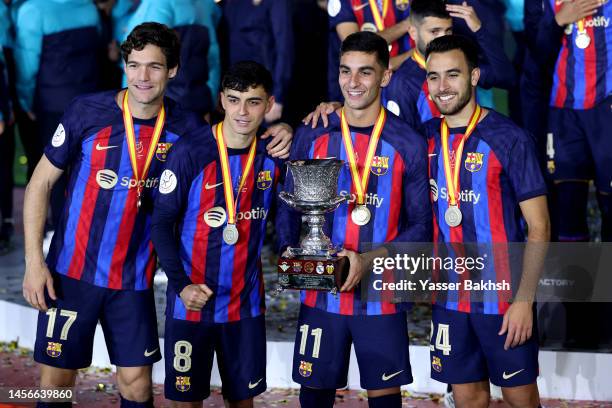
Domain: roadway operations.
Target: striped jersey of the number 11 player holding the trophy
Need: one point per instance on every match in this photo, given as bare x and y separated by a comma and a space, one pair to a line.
397, 197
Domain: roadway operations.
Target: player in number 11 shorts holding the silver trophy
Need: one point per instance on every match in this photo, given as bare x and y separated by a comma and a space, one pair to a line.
395, 200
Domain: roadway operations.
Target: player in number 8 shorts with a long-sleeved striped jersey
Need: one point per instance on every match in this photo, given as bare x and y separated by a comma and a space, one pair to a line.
219, 198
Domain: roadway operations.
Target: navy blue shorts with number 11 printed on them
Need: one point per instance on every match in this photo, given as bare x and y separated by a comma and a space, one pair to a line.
323, 347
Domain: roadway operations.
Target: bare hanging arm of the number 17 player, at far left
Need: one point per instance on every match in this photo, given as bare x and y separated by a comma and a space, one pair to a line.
36, 204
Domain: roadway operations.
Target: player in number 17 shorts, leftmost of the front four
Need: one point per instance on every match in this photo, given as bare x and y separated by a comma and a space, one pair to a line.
100, 266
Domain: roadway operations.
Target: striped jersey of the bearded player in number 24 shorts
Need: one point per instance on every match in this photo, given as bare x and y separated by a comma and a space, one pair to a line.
499, 169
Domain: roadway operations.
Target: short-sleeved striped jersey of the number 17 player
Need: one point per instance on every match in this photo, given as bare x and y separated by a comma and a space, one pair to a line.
102, 238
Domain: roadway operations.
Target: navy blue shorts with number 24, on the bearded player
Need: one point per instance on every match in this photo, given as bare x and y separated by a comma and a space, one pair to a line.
466, 348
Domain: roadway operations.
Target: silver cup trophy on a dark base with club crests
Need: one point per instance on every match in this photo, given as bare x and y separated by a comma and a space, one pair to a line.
314, 264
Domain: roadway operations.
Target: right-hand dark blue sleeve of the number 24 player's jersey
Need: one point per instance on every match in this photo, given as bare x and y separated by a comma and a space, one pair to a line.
524, 169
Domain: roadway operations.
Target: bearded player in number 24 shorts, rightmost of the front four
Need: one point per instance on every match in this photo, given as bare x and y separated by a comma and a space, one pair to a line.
481, 336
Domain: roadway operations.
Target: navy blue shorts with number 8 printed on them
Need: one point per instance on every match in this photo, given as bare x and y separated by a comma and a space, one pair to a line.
189, 349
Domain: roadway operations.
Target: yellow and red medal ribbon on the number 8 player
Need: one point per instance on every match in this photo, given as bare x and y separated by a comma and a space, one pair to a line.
230, 201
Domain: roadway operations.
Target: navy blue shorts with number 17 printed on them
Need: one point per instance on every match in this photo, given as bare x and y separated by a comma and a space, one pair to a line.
65, 333
